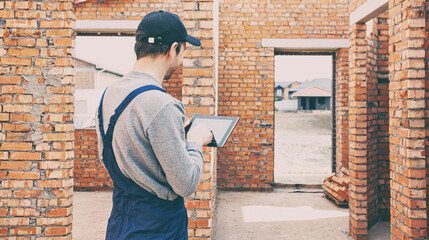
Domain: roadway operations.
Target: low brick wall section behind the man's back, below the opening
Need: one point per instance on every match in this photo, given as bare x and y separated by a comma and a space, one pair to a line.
89, 173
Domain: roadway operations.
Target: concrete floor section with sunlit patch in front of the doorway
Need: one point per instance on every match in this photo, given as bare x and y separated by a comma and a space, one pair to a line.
279, 215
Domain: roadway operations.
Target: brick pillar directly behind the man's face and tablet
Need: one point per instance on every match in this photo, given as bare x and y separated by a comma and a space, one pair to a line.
198, 95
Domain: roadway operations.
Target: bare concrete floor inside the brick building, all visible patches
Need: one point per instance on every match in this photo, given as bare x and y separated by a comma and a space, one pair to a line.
283, 214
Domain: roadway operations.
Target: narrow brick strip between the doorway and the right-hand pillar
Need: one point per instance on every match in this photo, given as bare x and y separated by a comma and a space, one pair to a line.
342, 109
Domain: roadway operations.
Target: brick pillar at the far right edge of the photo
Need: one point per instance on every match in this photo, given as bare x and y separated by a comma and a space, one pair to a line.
407, 124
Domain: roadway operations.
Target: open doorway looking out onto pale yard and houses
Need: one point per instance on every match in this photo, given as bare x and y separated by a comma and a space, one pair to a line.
304, 120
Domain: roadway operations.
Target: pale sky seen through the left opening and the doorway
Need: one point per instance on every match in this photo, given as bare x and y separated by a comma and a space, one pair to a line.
117, 54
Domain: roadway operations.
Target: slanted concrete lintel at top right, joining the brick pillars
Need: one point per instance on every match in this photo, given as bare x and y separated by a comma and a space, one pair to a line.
369, 10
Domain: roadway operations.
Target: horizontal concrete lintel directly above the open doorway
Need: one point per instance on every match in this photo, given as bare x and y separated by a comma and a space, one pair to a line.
306, 44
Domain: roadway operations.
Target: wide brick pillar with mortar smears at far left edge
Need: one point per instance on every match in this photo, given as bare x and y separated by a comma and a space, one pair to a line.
36, 119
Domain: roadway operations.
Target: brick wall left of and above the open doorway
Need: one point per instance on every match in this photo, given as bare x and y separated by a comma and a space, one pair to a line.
246, 77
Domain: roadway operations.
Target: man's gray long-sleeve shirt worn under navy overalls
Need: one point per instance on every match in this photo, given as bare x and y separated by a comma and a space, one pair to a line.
149, 139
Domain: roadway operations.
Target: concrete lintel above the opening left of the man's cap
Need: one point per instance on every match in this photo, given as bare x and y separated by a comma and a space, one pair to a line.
109, 26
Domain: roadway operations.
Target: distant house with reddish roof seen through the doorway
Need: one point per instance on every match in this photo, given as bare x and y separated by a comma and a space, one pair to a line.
313, 95
